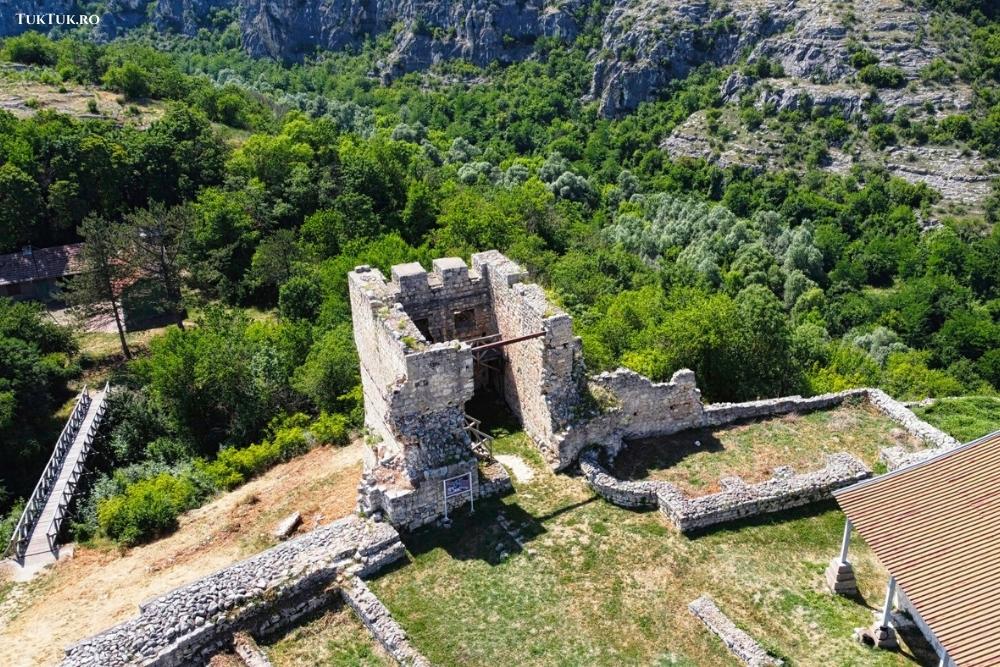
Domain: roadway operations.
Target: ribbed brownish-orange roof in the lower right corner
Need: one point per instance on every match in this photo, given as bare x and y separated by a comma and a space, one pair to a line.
935, 526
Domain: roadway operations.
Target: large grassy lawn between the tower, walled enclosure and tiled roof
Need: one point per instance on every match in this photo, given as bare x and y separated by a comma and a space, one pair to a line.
599, 585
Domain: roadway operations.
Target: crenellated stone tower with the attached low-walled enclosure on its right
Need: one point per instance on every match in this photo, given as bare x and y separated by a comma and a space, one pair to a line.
429, 343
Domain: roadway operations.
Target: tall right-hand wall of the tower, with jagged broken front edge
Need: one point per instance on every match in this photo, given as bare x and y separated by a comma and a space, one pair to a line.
542, 375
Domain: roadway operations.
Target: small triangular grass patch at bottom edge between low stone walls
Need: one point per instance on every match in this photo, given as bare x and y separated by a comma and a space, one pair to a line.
336, 638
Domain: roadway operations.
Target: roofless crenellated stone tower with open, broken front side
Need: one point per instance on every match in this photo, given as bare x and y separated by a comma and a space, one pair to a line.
423, 341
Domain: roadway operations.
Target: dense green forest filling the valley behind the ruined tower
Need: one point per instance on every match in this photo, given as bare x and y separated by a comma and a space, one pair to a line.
267, 182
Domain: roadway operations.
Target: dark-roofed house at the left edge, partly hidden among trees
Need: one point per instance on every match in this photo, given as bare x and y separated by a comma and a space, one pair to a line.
33, 274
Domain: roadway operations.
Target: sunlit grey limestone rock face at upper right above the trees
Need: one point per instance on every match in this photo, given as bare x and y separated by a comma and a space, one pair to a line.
648, 43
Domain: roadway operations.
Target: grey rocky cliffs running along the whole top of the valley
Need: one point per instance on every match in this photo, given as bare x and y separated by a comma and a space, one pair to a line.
645, 43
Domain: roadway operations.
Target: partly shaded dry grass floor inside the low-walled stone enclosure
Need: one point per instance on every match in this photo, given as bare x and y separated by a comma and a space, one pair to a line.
752, 450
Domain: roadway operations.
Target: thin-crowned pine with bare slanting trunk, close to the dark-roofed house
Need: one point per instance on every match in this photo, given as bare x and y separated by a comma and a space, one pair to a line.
98, 288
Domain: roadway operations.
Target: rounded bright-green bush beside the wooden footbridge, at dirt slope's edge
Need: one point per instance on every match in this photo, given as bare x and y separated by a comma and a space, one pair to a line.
147, 509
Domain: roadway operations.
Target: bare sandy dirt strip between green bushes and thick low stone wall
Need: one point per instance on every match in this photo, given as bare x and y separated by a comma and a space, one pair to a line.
97, 588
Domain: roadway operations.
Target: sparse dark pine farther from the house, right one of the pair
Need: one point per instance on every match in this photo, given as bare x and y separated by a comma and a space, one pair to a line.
154, 237
